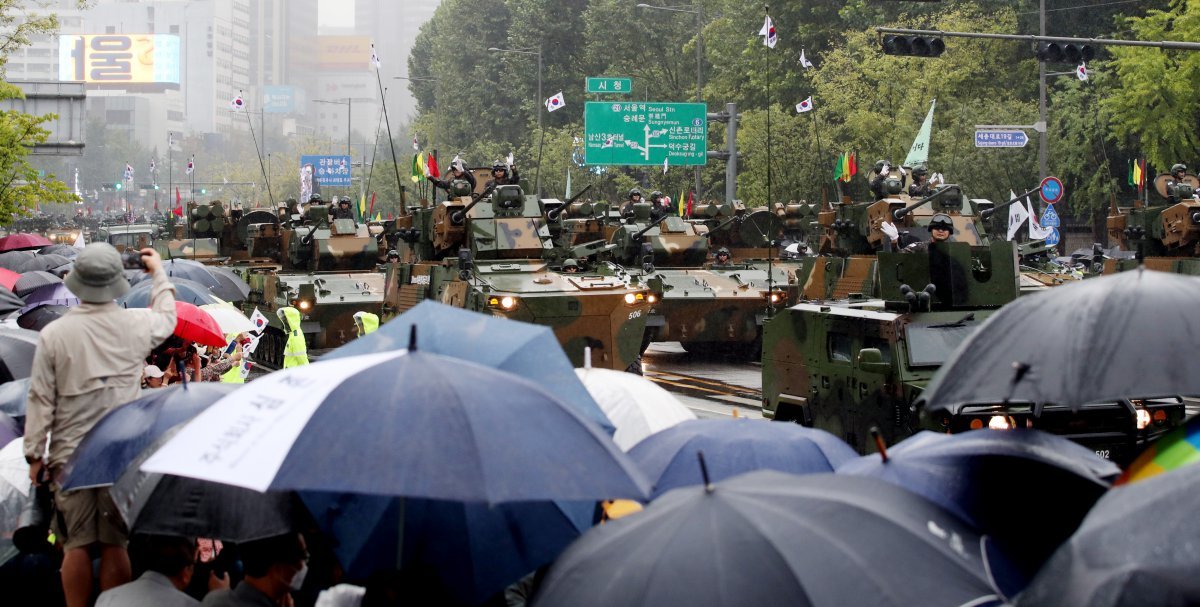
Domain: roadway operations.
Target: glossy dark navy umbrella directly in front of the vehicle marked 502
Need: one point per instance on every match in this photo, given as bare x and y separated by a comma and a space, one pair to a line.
970, 476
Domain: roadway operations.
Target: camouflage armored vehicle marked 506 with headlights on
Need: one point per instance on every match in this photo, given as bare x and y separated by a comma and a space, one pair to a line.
491, 253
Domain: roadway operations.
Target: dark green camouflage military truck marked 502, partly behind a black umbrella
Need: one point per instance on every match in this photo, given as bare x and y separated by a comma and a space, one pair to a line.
877, 329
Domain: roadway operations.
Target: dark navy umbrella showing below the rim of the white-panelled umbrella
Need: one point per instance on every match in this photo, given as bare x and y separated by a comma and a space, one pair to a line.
475, 550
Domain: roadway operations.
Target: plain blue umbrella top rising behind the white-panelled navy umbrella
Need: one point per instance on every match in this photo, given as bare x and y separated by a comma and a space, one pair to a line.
520, 348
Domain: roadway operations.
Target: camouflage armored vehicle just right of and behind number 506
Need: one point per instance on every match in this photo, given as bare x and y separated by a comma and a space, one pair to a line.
706, 308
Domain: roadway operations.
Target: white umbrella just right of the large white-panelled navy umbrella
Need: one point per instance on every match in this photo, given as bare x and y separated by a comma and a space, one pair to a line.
635, 405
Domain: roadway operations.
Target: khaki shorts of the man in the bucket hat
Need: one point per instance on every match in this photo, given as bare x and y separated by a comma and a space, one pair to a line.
91, 518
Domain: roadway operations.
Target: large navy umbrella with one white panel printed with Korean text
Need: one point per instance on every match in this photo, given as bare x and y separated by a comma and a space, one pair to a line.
404, 423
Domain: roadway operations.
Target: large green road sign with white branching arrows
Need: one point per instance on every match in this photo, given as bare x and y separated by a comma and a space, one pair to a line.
645, 134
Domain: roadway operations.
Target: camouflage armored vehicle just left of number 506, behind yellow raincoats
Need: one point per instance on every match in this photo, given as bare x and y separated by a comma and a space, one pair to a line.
328, 272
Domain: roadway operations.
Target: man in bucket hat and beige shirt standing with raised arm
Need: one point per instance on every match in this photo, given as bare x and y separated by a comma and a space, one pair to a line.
91, 363
